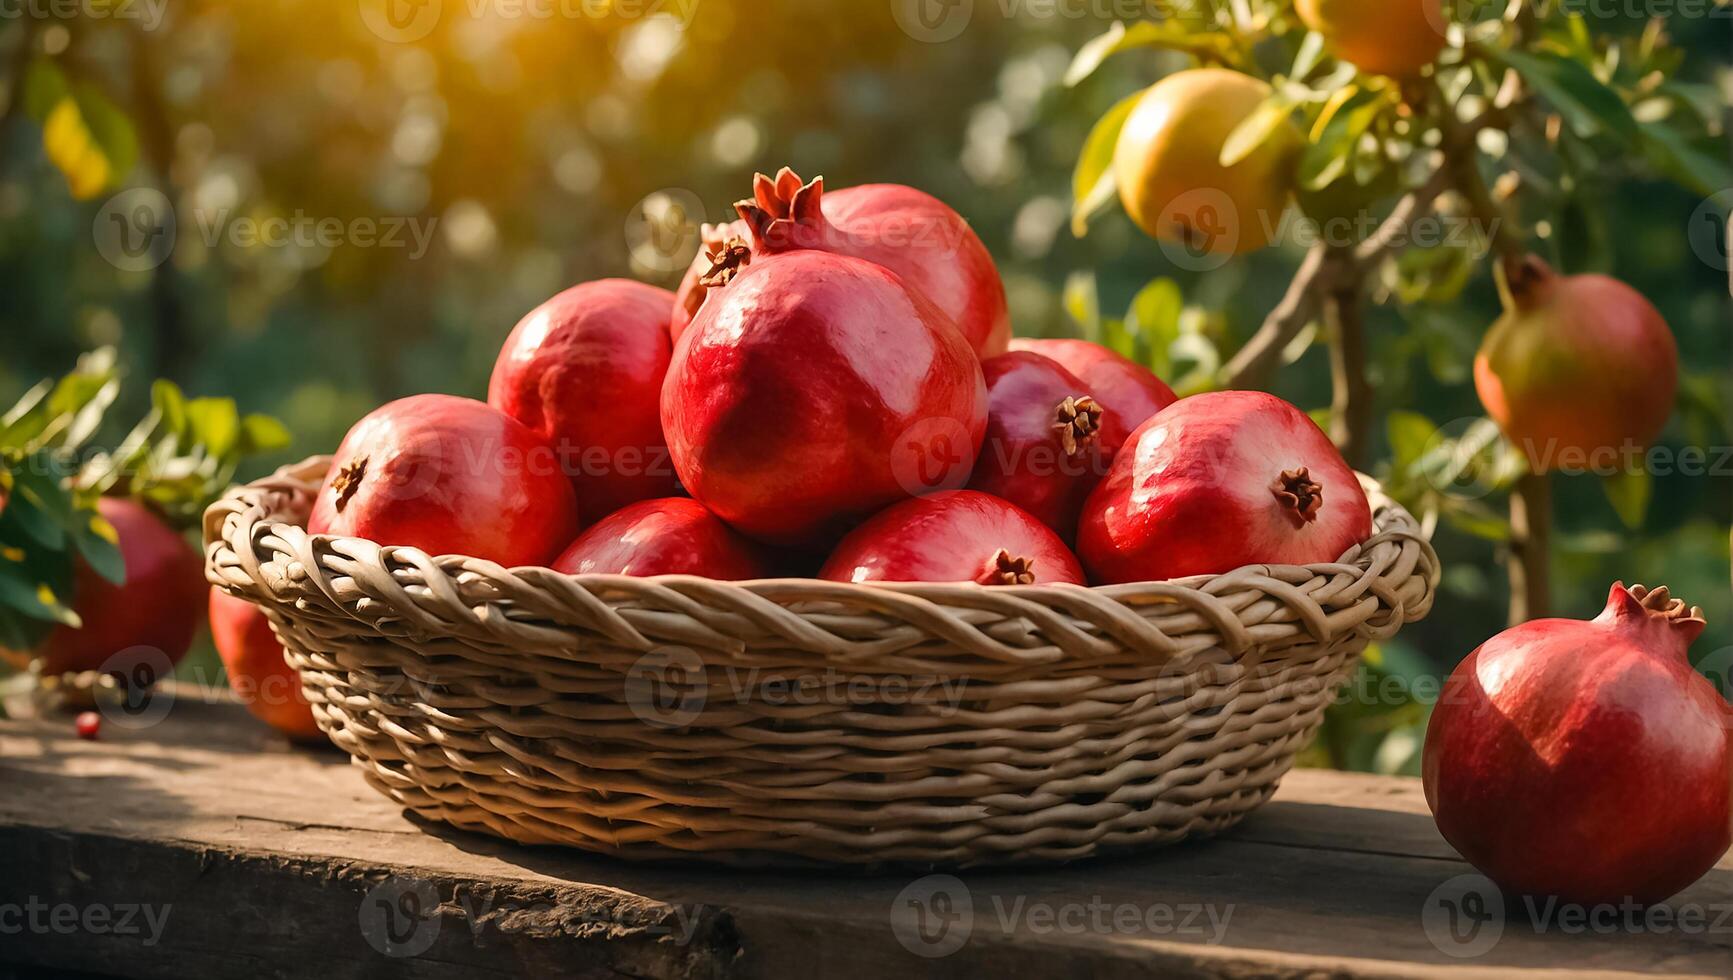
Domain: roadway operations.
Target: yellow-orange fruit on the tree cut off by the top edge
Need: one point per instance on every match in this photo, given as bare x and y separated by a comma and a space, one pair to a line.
1384, 37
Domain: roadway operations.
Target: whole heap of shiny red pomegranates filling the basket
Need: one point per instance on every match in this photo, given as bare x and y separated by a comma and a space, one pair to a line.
834, 393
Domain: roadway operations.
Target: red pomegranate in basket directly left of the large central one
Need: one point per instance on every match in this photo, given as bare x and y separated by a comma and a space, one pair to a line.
585, 370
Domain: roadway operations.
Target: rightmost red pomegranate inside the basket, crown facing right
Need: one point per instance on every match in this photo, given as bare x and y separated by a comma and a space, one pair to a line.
1195, 492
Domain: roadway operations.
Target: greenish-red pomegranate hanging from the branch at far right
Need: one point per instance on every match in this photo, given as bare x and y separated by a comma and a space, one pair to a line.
1580, 372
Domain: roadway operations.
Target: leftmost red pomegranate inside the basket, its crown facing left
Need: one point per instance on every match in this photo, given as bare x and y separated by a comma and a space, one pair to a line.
453, 478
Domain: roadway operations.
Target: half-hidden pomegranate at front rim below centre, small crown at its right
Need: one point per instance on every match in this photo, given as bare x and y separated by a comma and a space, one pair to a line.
954, 537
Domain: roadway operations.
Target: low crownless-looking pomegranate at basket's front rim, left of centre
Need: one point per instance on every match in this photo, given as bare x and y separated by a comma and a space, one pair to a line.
672, 537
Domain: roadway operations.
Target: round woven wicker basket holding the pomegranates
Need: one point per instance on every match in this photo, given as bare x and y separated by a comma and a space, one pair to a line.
788, 722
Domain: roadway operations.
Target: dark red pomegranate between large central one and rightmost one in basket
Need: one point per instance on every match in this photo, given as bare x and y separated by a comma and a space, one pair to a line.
1048, 440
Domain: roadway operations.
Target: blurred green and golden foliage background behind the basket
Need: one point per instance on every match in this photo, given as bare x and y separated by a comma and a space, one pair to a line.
434, 190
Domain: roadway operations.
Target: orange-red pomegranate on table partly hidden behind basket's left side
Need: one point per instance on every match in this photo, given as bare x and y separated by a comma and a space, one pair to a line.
257, 672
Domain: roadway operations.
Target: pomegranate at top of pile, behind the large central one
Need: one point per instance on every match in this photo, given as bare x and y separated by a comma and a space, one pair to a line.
907, 232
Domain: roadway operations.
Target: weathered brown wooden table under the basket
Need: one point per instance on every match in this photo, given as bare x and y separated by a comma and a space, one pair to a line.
207, 847
